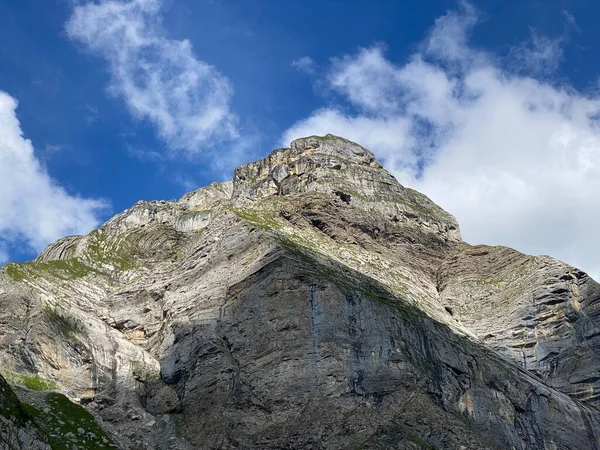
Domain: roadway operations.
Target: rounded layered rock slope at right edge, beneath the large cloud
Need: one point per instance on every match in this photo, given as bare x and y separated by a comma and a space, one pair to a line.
538, 311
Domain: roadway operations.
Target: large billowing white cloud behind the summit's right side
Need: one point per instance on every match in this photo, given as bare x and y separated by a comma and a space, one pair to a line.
514, 157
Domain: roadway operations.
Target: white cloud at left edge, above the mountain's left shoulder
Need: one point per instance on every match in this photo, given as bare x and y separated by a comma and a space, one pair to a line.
35, 209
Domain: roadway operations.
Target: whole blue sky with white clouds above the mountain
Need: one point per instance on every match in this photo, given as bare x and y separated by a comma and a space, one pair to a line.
489, 107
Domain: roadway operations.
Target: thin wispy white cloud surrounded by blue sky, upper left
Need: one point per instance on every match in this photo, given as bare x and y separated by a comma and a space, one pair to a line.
160, 79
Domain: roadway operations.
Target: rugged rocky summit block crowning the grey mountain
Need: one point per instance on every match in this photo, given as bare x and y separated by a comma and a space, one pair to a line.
336, 166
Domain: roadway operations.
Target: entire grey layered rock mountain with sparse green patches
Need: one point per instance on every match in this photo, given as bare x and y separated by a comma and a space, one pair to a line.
313, 302
